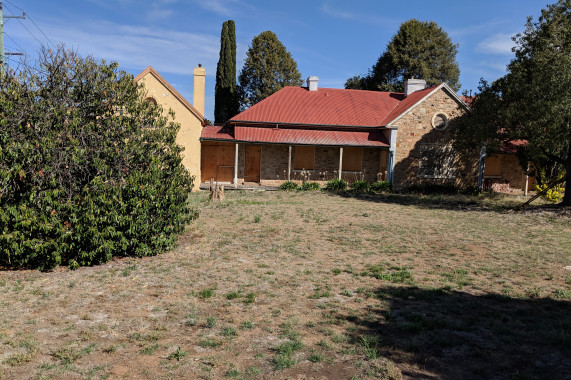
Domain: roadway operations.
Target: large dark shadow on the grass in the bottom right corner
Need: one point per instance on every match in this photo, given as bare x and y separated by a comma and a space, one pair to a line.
455, 335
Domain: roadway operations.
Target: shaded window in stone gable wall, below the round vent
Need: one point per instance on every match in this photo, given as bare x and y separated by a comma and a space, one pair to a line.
437, 161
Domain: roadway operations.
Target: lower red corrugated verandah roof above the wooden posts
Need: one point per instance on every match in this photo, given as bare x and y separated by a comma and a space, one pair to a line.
310, 136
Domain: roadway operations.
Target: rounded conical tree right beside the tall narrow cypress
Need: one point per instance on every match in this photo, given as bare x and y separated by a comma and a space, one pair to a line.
268, 68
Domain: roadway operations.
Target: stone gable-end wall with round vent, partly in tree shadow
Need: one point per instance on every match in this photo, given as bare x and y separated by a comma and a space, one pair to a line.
415, 129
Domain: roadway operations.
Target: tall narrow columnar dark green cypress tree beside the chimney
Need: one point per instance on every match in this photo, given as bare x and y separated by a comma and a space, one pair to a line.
225, 97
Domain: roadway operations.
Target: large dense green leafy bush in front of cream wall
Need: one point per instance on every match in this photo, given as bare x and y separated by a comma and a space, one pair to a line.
88, 170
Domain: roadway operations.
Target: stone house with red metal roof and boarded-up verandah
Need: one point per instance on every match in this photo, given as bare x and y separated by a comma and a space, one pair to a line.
317, 134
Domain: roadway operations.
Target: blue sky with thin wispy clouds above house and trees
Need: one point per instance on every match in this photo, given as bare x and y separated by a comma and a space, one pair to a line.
331, 39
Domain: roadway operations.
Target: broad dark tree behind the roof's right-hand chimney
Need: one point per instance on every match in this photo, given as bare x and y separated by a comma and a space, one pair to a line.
419, 50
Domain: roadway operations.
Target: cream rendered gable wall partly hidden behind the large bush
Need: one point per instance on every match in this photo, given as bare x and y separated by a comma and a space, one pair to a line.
190, 126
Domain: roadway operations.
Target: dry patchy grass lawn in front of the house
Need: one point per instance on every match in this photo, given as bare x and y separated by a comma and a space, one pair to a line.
282, 285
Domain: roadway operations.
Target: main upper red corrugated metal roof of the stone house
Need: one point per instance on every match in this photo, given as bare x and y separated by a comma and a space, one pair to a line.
326, 106
